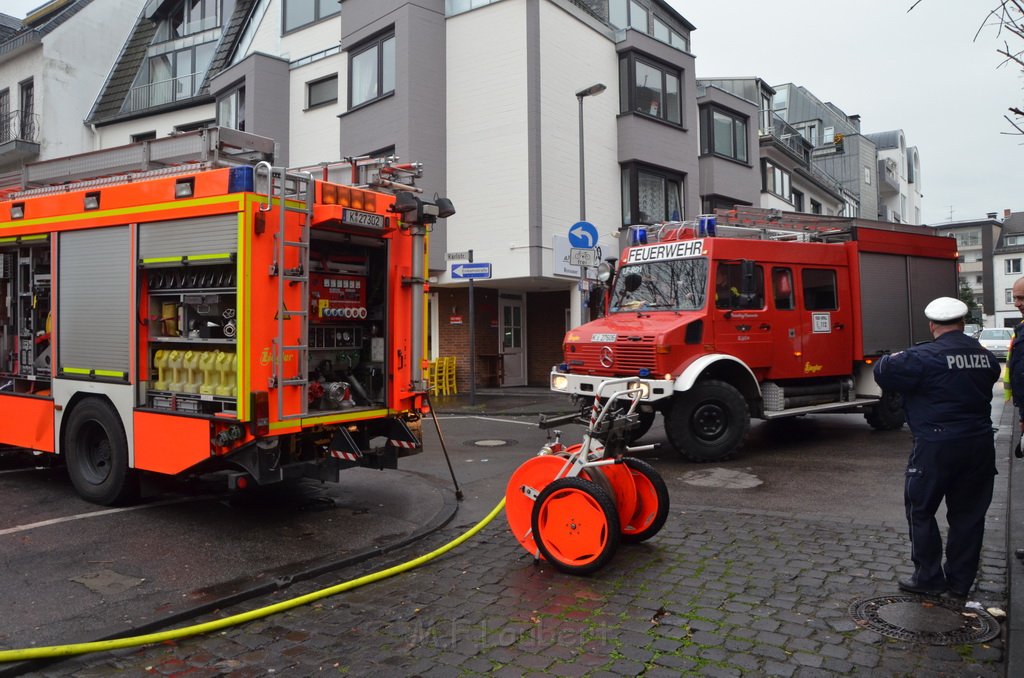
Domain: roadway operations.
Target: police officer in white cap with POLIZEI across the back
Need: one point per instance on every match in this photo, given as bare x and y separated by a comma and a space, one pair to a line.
948, 393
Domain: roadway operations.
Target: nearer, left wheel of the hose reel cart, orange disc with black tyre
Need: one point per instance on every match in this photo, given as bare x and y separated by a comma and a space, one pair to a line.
576, 526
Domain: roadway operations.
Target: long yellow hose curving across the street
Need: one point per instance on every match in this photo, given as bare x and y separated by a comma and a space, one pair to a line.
235, 620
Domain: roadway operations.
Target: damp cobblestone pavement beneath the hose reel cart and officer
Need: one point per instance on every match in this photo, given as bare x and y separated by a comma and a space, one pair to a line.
716, 594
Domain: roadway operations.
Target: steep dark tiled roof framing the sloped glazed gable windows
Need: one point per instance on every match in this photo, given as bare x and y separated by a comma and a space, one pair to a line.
108, 107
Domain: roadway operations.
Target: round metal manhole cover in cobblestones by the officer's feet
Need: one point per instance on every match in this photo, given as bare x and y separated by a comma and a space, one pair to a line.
930, 621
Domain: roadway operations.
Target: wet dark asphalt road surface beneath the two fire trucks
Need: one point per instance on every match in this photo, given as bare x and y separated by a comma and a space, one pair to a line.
75, 572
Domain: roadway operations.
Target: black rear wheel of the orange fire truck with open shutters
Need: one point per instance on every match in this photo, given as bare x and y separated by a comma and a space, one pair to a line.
98, 454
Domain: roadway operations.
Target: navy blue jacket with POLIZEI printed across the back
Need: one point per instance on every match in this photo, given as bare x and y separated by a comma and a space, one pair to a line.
947, 387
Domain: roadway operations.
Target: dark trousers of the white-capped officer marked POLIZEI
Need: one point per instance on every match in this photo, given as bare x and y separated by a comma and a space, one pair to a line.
963, 473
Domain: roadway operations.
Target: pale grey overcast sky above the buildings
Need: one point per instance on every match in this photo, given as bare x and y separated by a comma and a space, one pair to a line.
922, 72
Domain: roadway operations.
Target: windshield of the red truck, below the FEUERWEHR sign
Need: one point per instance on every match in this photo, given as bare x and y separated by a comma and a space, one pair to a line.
667, 285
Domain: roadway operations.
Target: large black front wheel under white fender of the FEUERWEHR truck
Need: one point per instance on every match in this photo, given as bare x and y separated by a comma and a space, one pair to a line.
709, 422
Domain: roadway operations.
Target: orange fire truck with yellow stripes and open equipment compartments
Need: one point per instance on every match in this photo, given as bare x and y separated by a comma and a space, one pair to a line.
182, 307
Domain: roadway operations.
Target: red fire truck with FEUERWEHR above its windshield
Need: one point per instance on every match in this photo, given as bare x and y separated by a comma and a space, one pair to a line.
758, 314
